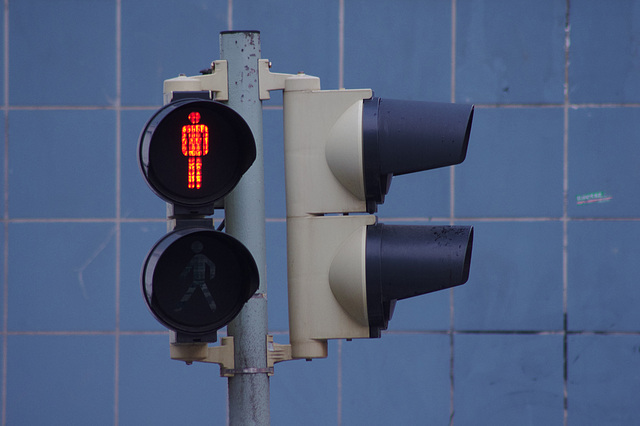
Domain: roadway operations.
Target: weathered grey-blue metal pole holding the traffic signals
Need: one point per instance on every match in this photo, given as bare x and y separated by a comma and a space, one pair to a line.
245, 220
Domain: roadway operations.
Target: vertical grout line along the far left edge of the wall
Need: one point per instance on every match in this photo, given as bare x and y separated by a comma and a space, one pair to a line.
5, 277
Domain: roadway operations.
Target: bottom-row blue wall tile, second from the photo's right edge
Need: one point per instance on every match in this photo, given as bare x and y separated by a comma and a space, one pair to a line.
508, 380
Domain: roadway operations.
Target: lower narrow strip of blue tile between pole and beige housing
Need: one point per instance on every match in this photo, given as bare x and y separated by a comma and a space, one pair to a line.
278, 305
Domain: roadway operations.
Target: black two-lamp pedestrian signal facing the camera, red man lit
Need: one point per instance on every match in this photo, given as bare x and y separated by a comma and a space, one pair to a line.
192, 153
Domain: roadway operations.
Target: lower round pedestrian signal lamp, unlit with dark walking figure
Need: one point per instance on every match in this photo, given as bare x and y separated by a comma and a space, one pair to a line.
196, 280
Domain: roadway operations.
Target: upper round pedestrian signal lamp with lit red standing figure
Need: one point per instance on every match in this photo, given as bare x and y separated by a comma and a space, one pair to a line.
193, 152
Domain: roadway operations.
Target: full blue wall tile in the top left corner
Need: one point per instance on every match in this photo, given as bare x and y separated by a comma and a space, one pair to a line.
62, 53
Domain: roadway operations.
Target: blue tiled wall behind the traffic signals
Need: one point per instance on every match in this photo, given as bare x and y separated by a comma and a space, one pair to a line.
546, 331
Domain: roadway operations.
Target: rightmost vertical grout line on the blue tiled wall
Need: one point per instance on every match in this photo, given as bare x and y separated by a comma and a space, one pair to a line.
565, 217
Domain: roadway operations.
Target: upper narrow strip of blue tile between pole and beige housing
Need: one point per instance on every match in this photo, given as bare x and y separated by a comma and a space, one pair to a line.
275, 196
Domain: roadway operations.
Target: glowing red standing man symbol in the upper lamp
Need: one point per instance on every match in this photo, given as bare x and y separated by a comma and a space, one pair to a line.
195, 144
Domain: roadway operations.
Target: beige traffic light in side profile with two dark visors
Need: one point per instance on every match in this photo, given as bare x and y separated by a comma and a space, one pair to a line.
345, 270
